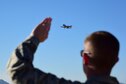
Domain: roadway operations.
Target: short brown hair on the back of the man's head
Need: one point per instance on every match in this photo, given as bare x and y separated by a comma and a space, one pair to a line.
105, 47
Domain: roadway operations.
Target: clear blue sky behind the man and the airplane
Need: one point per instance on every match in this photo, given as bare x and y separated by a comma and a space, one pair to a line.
60, 53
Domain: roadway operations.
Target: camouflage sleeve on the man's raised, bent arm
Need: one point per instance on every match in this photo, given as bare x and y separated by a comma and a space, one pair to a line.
22, 71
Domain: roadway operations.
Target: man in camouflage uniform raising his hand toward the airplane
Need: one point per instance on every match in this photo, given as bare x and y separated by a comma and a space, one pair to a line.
99, 56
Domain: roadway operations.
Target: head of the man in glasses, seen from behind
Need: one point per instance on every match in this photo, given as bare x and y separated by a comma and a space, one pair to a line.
100, 52
